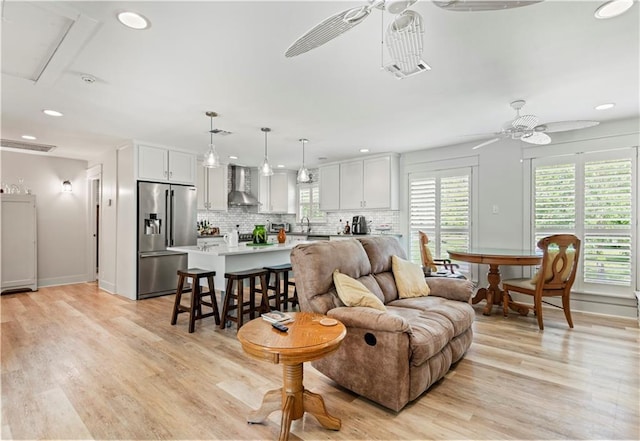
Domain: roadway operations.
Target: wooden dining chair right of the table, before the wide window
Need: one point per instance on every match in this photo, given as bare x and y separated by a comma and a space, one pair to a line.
554, 278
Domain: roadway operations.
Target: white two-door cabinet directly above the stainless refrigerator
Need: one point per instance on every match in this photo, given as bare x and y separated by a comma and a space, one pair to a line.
161, 164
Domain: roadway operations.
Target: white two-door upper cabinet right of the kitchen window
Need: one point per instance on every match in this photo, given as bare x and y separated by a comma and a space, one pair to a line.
371, 183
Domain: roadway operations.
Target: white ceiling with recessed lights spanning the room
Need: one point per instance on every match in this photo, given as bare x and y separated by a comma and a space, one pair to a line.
156, 85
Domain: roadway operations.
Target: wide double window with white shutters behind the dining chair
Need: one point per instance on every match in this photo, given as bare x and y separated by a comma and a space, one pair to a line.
591, 195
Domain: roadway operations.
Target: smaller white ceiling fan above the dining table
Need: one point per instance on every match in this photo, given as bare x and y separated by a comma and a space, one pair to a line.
527, 129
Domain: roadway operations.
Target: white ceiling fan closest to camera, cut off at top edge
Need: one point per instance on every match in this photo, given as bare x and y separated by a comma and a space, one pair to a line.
405, 33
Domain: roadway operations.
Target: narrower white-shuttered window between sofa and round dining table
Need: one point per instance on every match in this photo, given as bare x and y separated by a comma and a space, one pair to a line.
439, 205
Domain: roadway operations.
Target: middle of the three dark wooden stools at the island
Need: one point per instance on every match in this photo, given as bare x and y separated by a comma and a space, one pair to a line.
241, 306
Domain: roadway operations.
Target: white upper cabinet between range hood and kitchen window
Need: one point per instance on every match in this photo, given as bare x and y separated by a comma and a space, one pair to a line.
276, 193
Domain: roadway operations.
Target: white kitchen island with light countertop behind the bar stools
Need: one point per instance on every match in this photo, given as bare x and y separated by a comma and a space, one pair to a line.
222, 258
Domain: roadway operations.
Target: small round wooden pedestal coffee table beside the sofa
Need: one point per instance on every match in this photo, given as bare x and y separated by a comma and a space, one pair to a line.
306, 340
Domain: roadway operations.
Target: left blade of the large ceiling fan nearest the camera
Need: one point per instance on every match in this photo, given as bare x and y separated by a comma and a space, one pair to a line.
329, 29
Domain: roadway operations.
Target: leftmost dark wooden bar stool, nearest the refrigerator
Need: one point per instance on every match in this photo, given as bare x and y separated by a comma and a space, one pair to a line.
195, 308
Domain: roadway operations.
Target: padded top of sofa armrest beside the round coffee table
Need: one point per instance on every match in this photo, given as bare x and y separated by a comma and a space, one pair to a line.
369, 318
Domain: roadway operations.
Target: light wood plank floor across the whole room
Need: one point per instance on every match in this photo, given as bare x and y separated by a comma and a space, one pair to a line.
78, 363
